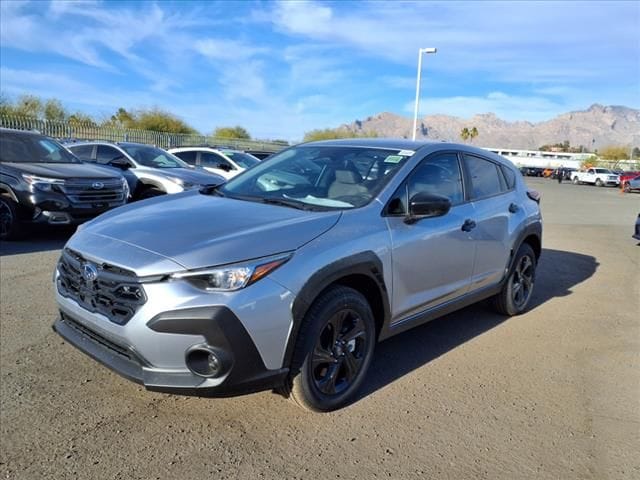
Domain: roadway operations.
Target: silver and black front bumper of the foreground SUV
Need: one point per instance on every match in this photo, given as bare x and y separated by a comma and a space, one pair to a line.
248, 328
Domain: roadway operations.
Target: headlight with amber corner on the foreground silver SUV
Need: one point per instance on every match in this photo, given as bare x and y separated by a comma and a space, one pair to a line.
228, 278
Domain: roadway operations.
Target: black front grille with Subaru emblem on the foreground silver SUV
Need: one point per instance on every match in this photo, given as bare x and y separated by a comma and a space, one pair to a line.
114, 292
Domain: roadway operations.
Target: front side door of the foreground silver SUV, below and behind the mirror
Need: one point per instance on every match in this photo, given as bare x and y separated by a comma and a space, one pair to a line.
433, 257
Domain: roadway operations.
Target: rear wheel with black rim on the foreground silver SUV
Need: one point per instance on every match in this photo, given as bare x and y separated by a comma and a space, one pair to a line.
516, 292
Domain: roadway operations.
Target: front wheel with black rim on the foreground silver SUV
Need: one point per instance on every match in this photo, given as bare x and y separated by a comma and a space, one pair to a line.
333, 351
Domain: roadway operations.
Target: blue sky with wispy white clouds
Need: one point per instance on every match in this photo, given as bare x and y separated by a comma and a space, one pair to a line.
282, 68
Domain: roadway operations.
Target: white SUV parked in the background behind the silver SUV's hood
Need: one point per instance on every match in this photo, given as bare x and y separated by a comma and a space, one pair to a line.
222, 161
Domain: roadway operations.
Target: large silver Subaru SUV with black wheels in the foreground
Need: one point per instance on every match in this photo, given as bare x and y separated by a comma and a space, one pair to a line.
286, 276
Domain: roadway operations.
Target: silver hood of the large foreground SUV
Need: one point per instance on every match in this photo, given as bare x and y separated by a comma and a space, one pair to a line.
196, 230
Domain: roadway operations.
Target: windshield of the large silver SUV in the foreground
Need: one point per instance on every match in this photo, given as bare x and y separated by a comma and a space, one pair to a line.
319, 177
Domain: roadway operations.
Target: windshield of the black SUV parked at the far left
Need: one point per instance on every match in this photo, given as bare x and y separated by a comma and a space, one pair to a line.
29, 148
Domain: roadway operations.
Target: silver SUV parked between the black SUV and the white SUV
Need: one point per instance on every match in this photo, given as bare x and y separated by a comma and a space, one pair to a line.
157, 171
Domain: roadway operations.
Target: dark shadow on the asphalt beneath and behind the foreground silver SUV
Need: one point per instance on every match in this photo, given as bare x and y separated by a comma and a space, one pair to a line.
558, 272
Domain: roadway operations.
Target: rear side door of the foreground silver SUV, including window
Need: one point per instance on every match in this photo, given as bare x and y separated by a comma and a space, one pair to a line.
497, 214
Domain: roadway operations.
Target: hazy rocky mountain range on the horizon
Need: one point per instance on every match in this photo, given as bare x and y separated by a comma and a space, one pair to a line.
596, 127
